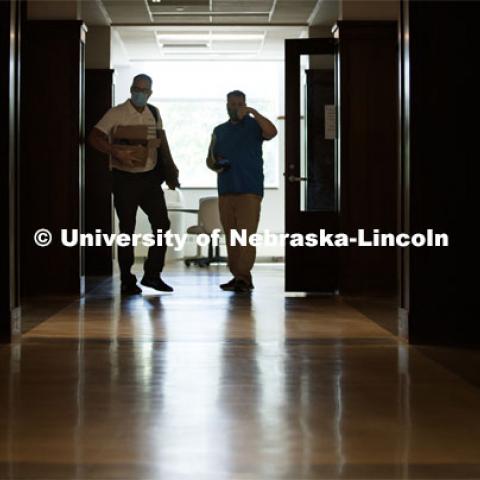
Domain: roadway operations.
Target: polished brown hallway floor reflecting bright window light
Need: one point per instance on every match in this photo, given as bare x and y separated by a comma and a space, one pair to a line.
204, 384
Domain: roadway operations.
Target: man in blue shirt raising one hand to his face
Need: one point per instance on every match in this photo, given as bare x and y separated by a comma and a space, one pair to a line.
235, 153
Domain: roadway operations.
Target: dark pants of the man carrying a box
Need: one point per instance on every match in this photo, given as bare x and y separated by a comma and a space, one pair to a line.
130, 191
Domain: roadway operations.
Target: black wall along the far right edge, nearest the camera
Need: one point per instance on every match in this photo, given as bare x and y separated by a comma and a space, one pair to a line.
439, 148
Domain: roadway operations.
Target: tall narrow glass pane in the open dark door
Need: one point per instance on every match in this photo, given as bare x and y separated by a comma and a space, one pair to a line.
317, 133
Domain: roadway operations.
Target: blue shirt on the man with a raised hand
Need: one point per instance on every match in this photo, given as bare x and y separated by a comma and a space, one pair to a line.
241, 144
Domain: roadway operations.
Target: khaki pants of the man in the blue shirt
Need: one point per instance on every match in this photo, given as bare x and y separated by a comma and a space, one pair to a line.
237, 212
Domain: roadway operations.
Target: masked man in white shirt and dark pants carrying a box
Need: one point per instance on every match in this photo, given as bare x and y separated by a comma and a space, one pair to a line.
137, 183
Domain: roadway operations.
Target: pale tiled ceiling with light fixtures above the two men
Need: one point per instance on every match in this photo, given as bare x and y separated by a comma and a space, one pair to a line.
154, 30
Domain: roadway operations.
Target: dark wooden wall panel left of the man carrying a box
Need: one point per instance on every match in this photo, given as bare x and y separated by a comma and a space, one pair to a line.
52, 155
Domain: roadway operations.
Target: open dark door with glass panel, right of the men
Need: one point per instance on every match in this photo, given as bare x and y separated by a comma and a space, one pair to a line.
311, 163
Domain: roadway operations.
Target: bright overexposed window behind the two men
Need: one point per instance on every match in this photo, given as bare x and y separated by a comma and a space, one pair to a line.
191, 97
